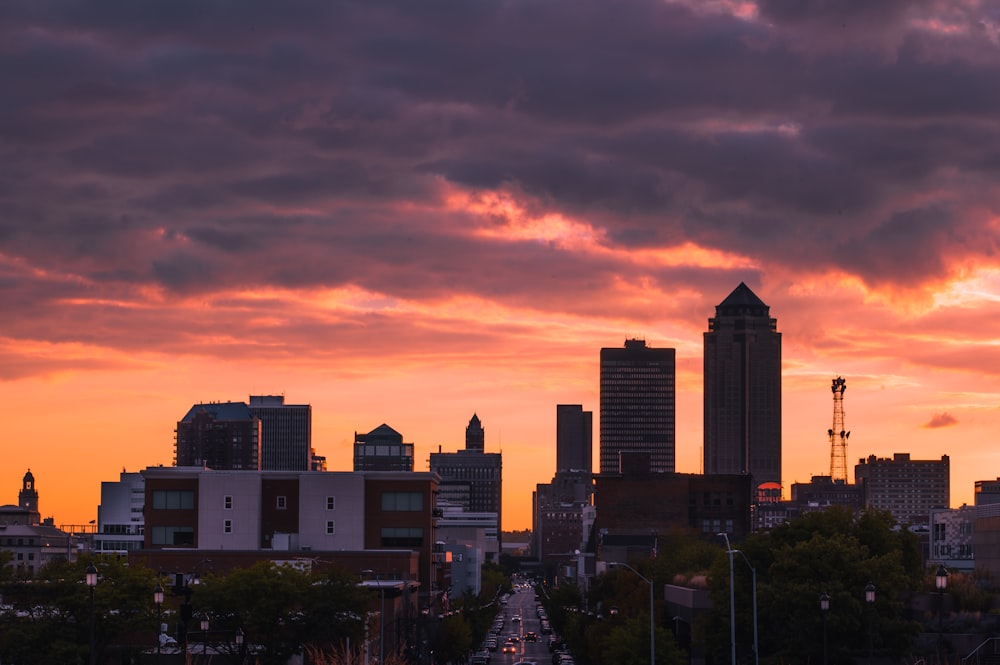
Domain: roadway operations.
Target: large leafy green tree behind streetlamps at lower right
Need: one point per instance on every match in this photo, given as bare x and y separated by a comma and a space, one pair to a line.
830, 552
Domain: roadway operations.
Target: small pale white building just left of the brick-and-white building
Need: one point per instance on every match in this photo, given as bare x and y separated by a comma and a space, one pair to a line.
120, 520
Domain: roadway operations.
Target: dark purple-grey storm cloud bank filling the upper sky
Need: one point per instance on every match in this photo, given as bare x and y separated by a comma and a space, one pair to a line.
202, 145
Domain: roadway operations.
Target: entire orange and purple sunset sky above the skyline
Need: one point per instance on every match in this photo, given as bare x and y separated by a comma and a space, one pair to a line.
410, 212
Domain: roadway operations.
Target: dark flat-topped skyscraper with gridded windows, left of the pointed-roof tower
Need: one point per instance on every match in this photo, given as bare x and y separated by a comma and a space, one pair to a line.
637, 405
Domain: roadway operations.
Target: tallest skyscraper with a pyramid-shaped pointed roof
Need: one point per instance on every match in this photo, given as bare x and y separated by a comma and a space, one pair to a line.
743, 390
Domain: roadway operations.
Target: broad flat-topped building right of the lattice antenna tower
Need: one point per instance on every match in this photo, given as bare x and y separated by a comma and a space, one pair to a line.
909, 489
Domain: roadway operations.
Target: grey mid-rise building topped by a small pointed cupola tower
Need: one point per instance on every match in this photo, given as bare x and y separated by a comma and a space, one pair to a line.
472, 478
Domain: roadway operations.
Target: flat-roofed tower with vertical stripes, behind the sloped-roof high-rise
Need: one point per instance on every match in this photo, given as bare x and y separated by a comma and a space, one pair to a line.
285, 433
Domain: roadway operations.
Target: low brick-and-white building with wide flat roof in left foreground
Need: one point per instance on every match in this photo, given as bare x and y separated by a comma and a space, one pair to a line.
244, 516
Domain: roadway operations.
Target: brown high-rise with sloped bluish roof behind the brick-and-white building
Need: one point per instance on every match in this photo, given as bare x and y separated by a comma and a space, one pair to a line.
221, 436
